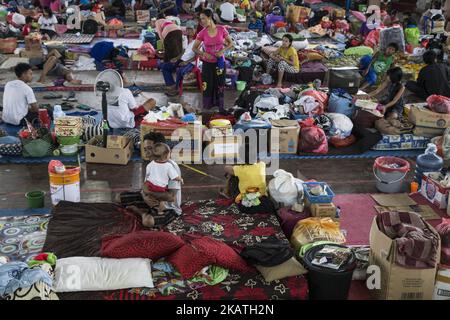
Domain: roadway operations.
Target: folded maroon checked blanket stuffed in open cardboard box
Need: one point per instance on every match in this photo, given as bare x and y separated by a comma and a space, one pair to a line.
416, 244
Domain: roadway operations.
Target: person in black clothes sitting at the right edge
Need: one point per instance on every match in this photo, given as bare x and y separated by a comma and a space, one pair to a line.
433, 78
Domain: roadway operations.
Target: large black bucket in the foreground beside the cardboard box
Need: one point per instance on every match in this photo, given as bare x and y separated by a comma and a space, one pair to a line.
325, 283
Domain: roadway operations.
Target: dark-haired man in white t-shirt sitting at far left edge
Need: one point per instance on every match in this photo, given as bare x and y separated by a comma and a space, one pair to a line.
19, 102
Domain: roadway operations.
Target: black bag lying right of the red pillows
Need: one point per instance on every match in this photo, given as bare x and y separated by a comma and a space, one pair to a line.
268, 253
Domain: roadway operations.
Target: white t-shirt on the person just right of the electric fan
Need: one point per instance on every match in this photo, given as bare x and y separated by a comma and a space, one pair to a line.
121, 116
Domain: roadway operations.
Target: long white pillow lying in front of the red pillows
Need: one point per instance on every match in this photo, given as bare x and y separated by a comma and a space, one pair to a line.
99, 274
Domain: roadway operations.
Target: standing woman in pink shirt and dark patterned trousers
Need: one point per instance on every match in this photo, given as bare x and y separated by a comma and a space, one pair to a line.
216, 41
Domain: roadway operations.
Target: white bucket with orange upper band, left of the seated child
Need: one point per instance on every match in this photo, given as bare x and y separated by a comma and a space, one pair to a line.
65, 186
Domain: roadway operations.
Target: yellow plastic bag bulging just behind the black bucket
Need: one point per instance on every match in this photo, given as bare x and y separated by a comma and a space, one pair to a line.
316, 229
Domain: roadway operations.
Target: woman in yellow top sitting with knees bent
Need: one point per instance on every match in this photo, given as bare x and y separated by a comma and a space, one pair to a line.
285, 59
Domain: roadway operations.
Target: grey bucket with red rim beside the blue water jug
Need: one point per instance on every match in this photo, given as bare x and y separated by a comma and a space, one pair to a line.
390, 173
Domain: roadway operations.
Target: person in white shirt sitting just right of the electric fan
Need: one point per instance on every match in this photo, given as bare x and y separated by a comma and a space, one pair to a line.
126, 113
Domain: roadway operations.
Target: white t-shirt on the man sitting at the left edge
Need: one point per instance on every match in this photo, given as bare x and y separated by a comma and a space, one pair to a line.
16, 100
